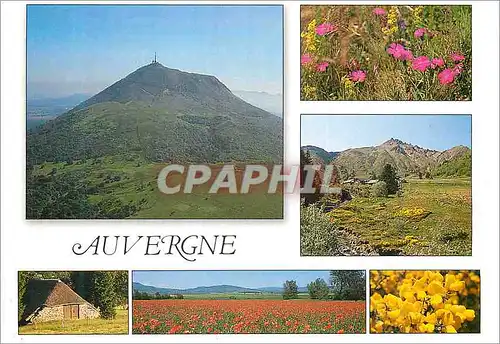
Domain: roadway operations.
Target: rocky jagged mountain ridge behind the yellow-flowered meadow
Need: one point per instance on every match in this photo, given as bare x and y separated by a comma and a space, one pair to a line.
405, 157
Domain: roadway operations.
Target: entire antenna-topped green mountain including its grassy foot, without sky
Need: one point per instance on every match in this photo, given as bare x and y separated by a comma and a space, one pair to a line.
110, 149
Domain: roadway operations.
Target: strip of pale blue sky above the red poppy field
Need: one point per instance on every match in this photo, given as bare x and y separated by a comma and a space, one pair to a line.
248, 279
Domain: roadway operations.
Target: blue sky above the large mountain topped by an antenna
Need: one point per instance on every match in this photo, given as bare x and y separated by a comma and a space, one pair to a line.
82, 49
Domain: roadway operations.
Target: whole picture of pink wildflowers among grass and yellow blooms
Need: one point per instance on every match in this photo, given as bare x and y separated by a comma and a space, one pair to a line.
386, 52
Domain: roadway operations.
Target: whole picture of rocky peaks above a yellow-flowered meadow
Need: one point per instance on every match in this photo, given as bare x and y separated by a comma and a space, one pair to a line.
386, 185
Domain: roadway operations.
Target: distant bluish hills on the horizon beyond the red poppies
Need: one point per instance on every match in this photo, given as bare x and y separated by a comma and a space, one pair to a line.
216, 289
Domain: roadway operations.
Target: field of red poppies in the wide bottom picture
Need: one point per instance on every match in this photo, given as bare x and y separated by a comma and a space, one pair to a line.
247, 316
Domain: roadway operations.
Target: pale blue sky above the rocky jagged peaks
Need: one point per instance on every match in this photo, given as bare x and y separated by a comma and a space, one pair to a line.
340, 132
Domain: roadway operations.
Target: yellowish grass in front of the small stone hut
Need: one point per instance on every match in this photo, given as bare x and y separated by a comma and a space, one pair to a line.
119, 325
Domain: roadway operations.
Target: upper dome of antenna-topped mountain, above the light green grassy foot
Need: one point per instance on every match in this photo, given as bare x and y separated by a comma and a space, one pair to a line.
163, 115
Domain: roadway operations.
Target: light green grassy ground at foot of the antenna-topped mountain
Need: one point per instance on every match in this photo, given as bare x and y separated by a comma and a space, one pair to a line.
130, 180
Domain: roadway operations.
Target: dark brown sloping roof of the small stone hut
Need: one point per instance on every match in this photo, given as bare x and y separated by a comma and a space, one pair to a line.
49, 293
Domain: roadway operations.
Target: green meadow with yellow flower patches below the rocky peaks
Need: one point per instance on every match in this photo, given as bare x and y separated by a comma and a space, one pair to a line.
432, 217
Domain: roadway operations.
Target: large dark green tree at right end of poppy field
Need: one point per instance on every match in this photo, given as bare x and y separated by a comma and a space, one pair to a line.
348, 284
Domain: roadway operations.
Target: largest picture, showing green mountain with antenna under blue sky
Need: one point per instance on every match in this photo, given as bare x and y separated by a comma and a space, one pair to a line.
152, 111
